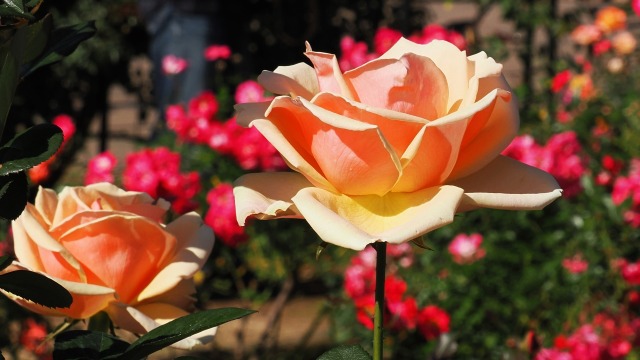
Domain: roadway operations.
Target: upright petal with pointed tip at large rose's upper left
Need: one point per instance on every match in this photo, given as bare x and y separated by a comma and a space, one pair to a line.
330, 78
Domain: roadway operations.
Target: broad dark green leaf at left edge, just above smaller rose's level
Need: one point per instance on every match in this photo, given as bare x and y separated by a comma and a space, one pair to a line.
36, 145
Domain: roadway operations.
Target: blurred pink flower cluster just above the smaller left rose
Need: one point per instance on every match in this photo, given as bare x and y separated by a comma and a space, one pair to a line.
157, 173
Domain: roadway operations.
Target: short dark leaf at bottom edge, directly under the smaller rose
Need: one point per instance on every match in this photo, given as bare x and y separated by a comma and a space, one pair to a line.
84, 344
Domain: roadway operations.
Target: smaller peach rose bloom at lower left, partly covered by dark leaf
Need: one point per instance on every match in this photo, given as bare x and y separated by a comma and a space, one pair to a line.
110, 250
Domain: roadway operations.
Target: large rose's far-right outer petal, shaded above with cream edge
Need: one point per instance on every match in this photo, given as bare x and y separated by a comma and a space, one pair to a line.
508, 184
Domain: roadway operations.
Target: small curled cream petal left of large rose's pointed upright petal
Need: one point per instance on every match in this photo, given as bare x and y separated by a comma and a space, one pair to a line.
295, 80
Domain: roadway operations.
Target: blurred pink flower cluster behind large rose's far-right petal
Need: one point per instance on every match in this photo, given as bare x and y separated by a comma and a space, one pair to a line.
561, 156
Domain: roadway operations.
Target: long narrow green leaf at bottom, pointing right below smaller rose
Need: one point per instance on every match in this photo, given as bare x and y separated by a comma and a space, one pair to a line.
181, 328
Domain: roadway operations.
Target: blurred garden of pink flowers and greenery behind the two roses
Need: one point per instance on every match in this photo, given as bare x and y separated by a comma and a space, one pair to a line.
556, 284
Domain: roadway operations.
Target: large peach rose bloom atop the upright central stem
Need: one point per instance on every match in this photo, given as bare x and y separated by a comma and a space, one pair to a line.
390, 150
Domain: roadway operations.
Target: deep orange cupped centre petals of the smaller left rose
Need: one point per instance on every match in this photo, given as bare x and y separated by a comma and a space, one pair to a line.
124, 253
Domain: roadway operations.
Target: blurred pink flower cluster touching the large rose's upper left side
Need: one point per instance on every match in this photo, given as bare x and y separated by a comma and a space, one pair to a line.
198, 124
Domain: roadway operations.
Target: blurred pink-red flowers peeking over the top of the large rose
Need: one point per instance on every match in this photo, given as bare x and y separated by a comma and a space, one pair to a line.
355, 53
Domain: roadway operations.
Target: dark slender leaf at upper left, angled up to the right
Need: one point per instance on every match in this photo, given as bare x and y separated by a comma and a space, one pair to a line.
63, 42
